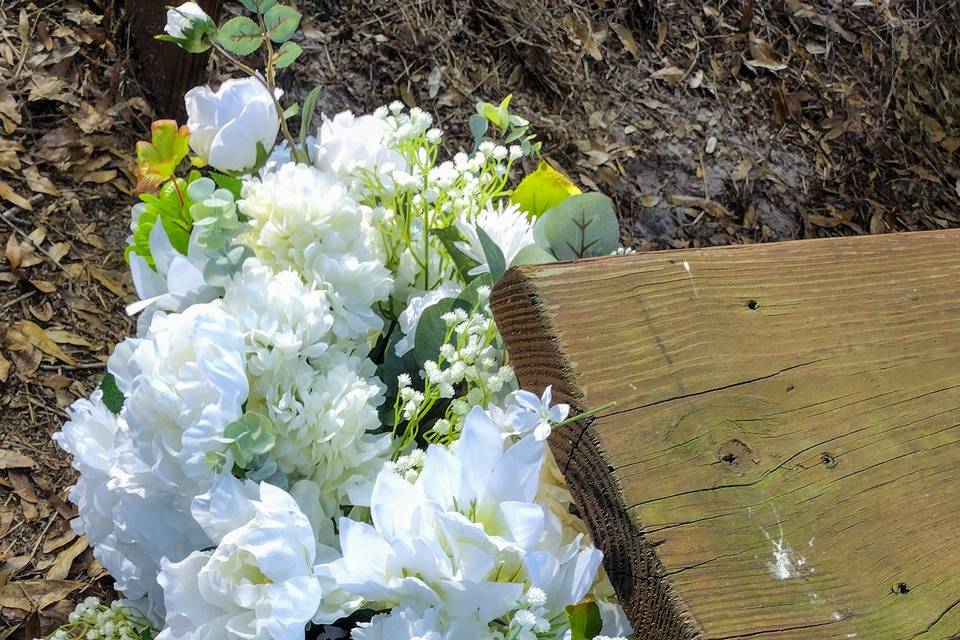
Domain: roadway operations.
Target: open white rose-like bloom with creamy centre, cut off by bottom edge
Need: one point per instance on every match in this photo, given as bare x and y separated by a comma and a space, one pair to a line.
257, 584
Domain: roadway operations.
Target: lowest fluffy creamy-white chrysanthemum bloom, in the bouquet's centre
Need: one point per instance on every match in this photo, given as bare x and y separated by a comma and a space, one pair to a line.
323, 418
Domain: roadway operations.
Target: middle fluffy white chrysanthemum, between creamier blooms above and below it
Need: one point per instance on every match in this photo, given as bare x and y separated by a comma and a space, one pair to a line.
282, 319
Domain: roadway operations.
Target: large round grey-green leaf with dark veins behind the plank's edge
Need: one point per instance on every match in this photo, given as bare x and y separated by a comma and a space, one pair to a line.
581, 226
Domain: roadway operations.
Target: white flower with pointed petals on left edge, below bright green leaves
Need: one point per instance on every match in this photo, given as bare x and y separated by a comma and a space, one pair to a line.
175, 283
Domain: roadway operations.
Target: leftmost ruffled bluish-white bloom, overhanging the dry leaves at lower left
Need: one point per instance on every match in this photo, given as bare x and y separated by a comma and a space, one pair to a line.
131, 520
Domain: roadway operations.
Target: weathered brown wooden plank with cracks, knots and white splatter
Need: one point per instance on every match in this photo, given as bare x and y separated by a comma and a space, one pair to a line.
783, 459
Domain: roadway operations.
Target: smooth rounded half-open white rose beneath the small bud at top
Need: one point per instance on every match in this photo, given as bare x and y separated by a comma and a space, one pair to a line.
227, 125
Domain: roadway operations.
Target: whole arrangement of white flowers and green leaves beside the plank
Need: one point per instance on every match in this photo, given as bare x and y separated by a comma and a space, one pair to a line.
315, 429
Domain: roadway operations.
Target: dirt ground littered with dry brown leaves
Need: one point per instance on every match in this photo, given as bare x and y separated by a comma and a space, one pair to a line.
709, 123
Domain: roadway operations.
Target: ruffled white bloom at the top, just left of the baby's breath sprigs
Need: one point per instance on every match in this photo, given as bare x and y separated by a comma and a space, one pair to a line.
348, 144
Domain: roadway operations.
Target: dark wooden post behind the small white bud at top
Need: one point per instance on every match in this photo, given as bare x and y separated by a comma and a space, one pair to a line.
167, 71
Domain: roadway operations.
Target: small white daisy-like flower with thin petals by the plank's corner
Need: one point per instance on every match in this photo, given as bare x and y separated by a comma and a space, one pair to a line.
508, 227
